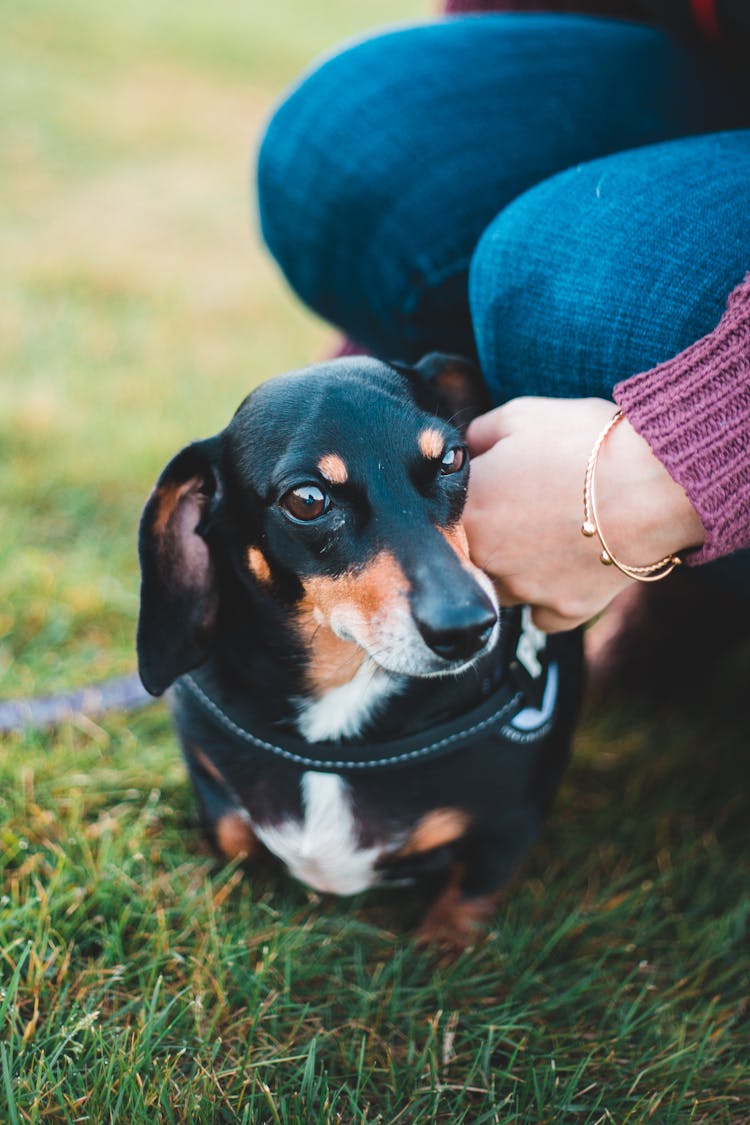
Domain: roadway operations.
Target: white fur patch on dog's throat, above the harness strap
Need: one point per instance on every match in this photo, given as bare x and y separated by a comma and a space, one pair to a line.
344, 712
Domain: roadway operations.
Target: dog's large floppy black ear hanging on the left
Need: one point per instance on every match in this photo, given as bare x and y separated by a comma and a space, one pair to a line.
179, 596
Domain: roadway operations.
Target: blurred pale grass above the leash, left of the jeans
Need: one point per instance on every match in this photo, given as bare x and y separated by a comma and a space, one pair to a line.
137, 305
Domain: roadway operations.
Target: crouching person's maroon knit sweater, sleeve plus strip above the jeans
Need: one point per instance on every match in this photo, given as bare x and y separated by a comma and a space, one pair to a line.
694, 411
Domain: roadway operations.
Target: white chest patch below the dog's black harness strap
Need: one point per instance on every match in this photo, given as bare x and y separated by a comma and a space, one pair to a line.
321, 850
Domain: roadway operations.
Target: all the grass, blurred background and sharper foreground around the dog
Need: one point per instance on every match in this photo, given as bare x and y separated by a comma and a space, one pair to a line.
140, 982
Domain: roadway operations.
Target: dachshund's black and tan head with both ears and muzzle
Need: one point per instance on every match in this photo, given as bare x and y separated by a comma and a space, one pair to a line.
336, 498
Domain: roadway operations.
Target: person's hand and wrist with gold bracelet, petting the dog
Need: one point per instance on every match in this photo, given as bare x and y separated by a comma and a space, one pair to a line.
525, 510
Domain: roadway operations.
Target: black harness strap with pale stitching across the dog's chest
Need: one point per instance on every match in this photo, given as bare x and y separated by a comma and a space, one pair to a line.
522, 708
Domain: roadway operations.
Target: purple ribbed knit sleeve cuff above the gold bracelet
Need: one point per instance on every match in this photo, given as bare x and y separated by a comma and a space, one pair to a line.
694, 411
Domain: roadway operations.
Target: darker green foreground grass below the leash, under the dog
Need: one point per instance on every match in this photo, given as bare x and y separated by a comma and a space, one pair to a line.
143, 983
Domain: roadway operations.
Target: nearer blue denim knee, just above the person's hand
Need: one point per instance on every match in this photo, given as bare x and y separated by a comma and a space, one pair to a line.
612, 267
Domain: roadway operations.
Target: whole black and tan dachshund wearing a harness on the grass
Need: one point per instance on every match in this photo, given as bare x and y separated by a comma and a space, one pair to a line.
348, 694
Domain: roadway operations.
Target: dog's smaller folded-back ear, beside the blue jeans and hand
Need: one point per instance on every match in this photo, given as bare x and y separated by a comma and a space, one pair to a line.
450, 386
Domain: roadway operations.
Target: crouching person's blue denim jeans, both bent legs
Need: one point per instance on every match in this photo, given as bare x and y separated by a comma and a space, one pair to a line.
567, 199
